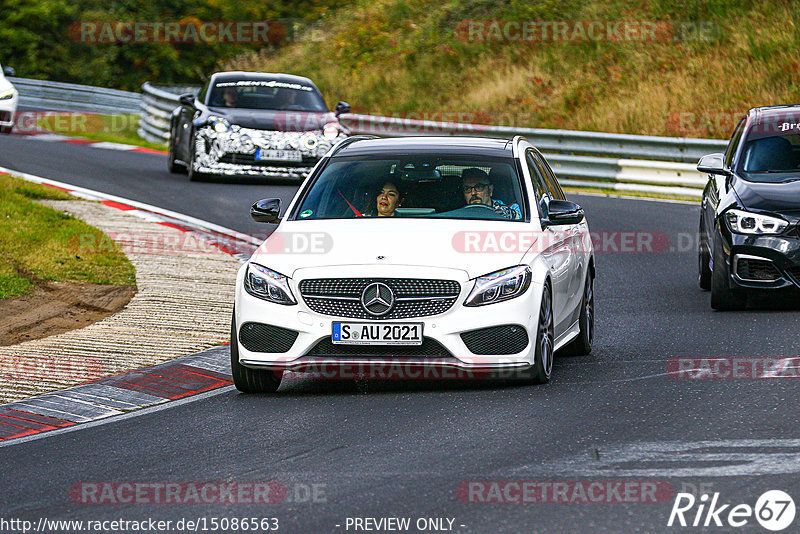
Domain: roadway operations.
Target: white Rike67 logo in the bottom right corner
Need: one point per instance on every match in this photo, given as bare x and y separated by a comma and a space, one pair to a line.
774, 510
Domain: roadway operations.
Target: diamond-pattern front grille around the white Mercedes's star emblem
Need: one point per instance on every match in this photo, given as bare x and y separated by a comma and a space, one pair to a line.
341, 297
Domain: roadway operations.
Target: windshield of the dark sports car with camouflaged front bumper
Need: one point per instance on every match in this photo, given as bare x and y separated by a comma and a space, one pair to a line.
266, 94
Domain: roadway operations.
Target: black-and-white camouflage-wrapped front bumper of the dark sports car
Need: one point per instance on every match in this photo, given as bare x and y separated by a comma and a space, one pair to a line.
233, 153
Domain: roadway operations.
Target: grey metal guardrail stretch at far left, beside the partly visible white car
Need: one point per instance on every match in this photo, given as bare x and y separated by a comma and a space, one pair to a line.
58, 96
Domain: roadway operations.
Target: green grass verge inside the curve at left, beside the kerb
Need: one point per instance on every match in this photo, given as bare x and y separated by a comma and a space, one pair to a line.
40, 244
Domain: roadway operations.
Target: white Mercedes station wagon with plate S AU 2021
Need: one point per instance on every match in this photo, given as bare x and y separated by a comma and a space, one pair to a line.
457, 253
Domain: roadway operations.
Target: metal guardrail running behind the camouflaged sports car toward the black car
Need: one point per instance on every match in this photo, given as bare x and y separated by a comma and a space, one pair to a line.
619, 162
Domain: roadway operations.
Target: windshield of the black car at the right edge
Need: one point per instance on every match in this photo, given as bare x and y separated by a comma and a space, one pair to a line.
772, 148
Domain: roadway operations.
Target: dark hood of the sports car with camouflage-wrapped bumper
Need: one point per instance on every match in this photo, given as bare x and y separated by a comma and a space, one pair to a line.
283, 121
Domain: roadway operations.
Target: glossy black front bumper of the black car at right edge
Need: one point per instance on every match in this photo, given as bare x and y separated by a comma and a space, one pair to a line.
763, 262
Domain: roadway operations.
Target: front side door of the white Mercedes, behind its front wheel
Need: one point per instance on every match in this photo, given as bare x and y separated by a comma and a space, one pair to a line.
554, 249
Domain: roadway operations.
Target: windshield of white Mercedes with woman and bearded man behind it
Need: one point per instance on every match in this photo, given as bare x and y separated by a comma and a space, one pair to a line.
453, 187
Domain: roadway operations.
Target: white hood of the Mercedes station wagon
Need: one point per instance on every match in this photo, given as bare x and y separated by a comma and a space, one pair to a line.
475, 247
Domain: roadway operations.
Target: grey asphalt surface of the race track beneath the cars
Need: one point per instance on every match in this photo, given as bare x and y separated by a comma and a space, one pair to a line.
402, 448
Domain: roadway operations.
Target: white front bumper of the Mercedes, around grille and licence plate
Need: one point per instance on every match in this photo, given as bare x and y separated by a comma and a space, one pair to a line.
443, 347
